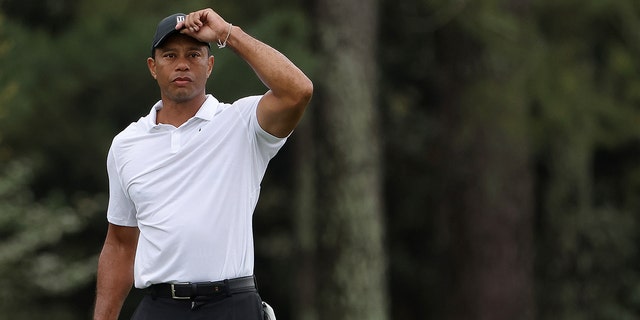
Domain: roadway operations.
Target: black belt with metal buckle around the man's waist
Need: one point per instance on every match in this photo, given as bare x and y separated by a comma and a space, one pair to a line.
190, 290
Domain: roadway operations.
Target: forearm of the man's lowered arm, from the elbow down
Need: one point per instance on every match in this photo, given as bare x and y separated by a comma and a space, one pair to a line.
115, 279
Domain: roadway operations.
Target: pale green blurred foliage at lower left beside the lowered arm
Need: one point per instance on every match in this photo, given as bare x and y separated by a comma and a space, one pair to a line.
35, 253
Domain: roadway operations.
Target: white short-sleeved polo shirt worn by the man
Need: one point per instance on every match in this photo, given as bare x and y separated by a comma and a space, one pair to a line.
191, 191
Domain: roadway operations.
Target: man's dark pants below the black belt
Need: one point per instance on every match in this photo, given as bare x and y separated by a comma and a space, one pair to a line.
241, 306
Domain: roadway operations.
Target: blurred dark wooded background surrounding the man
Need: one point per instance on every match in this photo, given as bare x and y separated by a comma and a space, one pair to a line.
459, 160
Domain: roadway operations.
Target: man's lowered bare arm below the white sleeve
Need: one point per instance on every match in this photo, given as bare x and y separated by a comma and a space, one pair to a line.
115, 271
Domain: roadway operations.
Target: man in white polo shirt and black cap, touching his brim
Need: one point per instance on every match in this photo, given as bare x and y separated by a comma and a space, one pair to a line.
184, 180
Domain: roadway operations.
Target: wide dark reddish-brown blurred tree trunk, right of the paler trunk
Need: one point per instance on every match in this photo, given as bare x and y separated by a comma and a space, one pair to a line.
488, 208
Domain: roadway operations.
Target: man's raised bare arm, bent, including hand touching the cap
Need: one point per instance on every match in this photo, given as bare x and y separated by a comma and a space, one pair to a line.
290, 90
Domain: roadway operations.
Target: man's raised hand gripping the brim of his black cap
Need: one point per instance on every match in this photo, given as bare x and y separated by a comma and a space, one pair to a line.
204, 25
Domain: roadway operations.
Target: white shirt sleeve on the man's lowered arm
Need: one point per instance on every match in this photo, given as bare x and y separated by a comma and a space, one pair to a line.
121, 210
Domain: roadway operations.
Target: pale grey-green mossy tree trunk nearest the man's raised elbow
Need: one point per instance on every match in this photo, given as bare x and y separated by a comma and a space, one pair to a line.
351, 260
